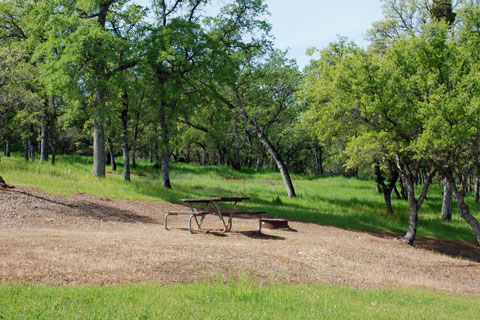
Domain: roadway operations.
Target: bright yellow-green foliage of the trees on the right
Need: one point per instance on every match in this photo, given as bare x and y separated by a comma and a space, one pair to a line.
416, 99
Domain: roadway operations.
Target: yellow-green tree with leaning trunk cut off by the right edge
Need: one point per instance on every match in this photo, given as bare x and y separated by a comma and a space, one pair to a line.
453, 113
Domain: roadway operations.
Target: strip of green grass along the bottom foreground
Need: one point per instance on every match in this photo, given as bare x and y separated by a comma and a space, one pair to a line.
232, 300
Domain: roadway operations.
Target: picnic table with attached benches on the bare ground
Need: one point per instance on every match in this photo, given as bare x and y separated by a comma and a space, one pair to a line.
205, 206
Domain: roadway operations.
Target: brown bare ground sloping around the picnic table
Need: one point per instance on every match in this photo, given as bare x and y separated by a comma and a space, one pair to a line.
92, 240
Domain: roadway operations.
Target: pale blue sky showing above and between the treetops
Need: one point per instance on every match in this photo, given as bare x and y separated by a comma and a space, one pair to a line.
300, 24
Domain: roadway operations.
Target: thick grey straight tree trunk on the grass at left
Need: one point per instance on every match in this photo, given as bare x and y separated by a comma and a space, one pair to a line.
99, 136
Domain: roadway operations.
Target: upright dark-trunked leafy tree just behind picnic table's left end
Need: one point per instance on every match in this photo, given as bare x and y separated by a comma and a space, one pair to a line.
185, 55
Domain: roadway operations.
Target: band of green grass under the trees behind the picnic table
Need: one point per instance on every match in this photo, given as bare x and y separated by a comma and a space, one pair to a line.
337, 201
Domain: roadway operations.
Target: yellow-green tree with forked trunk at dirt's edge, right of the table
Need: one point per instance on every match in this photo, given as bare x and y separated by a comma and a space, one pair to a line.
378, 96
